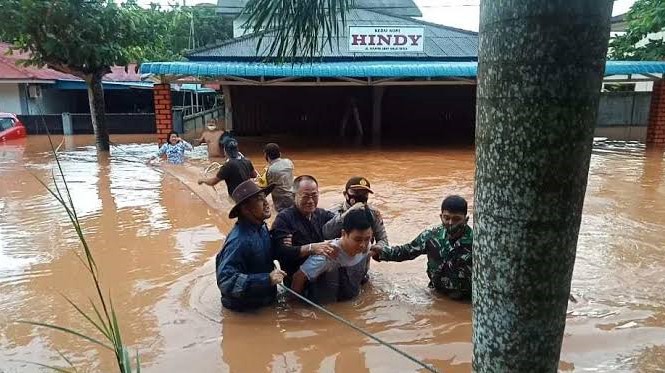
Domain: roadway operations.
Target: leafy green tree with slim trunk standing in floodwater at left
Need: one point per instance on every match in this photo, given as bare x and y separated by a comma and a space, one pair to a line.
79, 37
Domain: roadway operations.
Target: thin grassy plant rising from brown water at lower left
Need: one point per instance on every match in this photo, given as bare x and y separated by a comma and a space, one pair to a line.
103, 316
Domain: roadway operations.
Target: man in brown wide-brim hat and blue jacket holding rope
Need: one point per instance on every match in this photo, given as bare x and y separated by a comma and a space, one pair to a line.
245, 274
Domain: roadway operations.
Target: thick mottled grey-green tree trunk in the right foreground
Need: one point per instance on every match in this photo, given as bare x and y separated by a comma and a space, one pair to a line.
541, 65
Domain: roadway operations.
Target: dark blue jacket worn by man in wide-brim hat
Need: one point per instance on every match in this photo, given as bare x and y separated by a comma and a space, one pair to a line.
243, 267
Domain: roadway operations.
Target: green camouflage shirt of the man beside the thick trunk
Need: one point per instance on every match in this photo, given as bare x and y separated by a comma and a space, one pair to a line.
448, 262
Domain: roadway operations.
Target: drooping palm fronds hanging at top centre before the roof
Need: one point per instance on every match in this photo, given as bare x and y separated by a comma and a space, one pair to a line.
296, 27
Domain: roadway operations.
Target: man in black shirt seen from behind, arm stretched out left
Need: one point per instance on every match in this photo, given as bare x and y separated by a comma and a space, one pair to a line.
234, 171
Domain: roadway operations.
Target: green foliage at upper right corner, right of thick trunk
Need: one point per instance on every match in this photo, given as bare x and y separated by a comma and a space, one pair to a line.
645, 17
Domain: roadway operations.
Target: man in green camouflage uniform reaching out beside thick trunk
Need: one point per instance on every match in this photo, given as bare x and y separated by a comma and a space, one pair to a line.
448, 249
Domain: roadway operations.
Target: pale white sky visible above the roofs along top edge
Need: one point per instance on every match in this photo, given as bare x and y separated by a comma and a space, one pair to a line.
456, 13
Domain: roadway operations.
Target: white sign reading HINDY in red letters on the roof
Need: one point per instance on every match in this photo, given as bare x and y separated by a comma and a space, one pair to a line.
395, 39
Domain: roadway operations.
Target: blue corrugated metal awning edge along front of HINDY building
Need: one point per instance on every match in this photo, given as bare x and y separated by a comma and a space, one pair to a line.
359, 69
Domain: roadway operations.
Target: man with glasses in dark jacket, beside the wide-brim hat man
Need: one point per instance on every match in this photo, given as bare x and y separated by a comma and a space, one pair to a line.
297, 231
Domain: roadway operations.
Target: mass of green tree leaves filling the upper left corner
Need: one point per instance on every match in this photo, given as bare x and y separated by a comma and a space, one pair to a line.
89, 36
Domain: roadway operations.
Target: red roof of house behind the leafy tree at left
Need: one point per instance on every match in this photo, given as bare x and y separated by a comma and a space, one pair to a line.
10, 71
